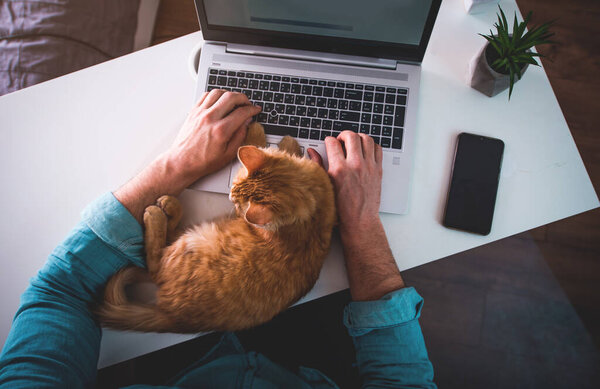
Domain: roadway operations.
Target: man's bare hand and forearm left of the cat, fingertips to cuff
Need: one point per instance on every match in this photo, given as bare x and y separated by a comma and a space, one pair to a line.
208, 140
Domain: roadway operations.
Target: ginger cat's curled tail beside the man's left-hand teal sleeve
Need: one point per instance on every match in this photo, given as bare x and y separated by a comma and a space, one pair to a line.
119, 313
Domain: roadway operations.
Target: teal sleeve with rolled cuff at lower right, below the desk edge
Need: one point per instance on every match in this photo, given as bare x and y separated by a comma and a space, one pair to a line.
390, 349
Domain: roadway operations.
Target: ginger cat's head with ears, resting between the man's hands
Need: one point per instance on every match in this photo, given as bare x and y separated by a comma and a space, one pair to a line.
273, 188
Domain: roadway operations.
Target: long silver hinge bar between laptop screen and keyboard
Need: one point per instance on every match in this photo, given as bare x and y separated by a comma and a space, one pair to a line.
312, 56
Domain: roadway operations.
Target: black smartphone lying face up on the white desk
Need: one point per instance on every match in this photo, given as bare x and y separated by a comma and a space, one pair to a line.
474, 184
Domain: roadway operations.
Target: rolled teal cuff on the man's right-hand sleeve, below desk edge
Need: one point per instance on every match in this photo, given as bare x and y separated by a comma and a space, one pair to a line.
394, 309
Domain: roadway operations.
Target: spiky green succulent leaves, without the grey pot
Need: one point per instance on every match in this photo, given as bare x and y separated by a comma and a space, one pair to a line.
512, 51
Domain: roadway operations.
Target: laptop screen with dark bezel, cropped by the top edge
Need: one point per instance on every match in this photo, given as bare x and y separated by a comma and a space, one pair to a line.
397, 29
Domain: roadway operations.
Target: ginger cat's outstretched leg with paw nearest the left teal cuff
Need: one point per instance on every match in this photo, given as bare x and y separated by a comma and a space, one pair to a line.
155, 237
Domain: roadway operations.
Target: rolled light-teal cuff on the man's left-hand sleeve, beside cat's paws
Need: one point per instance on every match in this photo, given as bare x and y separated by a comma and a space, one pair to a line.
113, 223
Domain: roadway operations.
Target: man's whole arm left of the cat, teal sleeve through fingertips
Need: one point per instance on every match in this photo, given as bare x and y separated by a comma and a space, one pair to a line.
54, 340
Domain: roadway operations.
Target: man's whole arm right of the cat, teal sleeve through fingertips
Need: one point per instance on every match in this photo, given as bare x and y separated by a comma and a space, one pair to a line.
383, 319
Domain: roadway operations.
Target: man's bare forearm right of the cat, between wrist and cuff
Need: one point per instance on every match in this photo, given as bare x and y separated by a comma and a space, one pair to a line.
372, 270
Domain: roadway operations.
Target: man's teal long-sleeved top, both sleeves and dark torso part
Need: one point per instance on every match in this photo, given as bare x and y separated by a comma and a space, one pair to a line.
55, 339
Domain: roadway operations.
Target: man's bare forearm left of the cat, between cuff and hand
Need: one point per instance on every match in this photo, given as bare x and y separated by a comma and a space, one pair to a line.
155, 180
